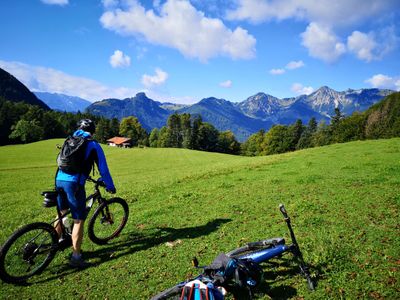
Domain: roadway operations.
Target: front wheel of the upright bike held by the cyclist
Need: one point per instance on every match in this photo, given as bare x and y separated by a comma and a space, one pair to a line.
101, 227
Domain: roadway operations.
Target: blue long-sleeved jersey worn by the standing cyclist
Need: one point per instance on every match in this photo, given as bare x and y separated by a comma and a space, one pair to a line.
93, 153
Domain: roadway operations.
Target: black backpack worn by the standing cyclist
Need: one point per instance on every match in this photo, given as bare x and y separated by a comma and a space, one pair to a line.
72, 155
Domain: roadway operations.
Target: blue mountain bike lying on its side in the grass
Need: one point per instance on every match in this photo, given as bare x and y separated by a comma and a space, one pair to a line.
237, 272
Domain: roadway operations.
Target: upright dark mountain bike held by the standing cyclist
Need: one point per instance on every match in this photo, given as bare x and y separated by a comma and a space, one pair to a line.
30, 249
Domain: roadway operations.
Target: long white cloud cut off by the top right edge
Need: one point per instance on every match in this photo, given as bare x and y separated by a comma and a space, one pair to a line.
327, 12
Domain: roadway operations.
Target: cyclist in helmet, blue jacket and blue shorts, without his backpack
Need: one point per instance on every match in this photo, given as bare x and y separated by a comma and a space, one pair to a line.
74, 188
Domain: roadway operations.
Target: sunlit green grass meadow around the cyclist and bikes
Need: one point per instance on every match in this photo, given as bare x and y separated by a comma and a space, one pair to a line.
344, 202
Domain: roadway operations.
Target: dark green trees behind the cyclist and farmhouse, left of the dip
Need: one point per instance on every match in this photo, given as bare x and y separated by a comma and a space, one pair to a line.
24, 123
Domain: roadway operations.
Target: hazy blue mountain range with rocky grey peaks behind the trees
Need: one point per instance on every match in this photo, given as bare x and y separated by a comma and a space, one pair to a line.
260, 111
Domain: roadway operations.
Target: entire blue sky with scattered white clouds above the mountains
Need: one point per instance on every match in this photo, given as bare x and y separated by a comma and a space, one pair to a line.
182, 51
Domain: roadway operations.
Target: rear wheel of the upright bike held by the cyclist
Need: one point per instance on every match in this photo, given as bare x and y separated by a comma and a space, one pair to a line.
23, 247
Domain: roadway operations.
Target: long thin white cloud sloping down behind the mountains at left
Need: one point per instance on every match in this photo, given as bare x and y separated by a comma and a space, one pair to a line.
54, 81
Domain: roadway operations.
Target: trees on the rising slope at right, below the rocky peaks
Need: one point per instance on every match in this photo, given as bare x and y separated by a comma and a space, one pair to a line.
381, 120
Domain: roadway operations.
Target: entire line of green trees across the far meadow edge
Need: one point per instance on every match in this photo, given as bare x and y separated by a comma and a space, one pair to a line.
25, 123
